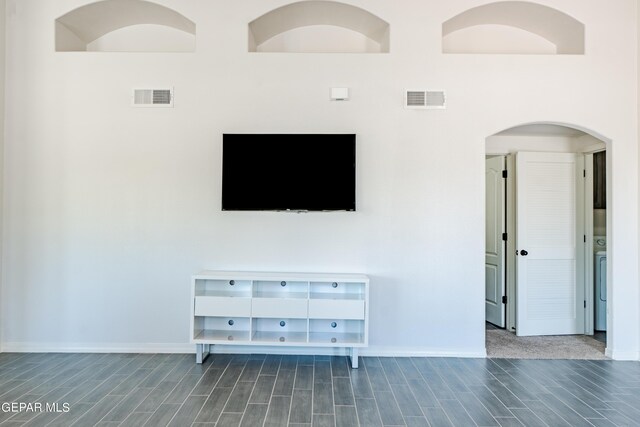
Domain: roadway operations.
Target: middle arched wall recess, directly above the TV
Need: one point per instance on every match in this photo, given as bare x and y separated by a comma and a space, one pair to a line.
319, 27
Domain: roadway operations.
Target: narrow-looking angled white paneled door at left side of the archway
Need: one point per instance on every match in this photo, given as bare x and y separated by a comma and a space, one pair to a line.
494, 260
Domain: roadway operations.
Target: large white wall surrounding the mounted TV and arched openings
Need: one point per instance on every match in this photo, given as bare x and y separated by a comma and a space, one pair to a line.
110, 209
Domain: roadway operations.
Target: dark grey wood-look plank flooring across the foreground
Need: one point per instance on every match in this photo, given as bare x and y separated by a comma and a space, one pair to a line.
269, 390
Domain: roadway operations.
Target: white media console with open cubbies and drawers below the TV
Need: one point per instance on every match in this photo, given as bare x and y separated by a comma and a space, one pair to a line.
279, 309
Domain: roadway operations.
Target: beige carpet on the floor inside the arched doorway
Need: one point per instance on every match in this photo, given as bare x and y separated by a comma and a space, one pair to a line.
504, 344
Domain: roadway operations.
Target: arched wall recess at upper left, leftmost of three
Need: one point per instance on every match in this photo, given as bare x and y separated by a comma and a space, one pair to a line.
124, 26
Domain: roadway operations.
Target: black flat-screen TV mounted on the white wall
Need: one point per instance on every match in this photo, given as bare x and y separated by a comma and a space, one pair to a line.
282, 172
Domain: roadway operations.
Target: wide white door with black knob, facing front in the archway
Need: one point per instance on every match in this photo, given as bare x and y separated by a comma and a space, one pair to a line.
550, 244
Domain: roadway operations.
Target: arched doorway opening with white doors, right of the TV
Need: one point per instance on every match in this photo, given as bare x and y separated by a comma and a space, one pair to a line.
546, 287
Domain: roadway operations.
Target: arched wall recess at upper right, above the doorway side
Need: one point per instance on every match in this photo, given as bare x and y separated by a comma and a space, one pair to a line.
515, 27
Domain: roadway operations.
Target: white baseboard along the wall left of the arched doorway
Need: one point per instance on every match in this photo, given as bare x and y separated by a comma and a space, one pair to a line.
190, 348
